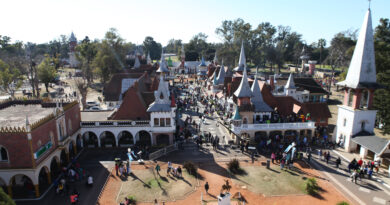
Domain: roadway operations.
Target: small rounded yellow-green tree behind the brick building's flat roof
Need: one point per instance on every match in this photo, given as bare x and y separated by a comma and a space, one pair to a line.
47, 72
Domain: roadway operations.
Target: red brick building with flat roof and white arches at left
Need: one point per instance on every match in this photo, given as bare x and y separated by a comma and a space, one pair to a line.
37, 138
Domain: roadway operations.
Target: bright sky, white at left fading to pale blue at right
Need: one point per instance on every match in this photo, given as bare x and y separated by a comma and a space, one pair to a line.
41, 21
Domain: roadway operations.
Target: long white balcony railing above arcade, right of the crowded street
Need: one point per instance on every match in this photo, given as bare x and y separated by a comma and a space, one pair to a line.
276, 126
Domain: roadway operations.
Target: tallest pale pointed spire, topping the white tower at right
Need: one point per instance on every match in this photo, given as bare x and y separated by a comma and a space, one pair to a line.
362, 70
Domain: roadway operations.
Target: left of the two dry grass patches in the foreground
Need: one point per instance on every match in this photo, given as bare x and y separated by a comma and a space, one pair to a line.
146, 185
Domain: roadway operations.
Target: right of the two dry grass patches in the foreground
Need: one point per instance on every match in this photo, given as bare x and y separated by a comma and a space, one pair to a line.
271, 182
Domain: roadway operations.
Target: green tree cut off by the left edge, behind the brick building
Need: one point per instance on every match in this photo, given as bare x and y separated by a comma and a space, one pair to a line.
10, 79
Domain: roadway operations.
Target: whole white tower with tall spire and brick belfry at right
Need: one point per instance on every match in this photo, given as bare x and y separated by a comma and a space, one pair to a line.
356, 115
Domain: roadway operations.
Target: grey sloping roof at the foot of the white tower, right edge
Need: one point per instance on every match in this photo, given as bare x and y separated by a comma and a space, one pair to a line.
373, 143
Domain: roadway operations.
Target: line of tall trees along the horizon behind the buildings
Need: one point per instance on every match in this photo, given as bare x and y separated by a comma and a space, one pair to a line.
266, 46
